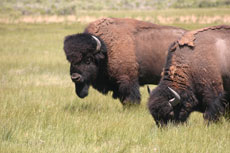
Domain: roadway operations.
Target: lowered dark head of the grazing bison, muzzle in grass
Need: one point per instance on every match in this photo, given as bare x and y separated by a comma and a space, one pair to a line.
165, 105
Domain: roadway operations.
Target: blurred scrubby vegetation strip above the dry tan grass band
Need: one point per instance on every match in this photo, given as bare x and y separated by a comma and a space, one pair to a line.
66, 7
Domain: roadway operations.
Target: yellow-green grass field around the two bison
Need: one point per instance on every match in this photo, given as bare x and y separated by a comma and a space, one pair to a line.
40, 112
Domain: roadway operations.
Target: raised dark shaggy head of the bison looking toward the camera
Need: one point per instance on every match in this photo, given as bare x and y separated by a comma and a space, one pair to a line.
85, 53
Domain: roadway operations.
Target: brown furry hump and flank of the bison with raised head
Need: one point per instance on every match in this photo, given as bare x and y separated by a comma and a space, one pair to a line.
128, 39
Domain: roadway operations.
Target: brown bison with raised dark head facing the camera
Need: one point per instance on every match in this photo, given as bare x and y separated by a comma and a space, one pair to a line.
118, 55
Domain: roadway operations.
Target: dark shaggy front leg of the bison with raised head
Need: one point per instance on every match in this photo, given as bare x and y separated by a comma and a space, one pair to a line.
129, 93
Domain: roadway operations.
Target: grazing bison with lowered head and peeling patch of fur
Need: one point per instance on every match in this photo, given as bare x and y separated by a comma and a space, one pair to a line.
196, 77
